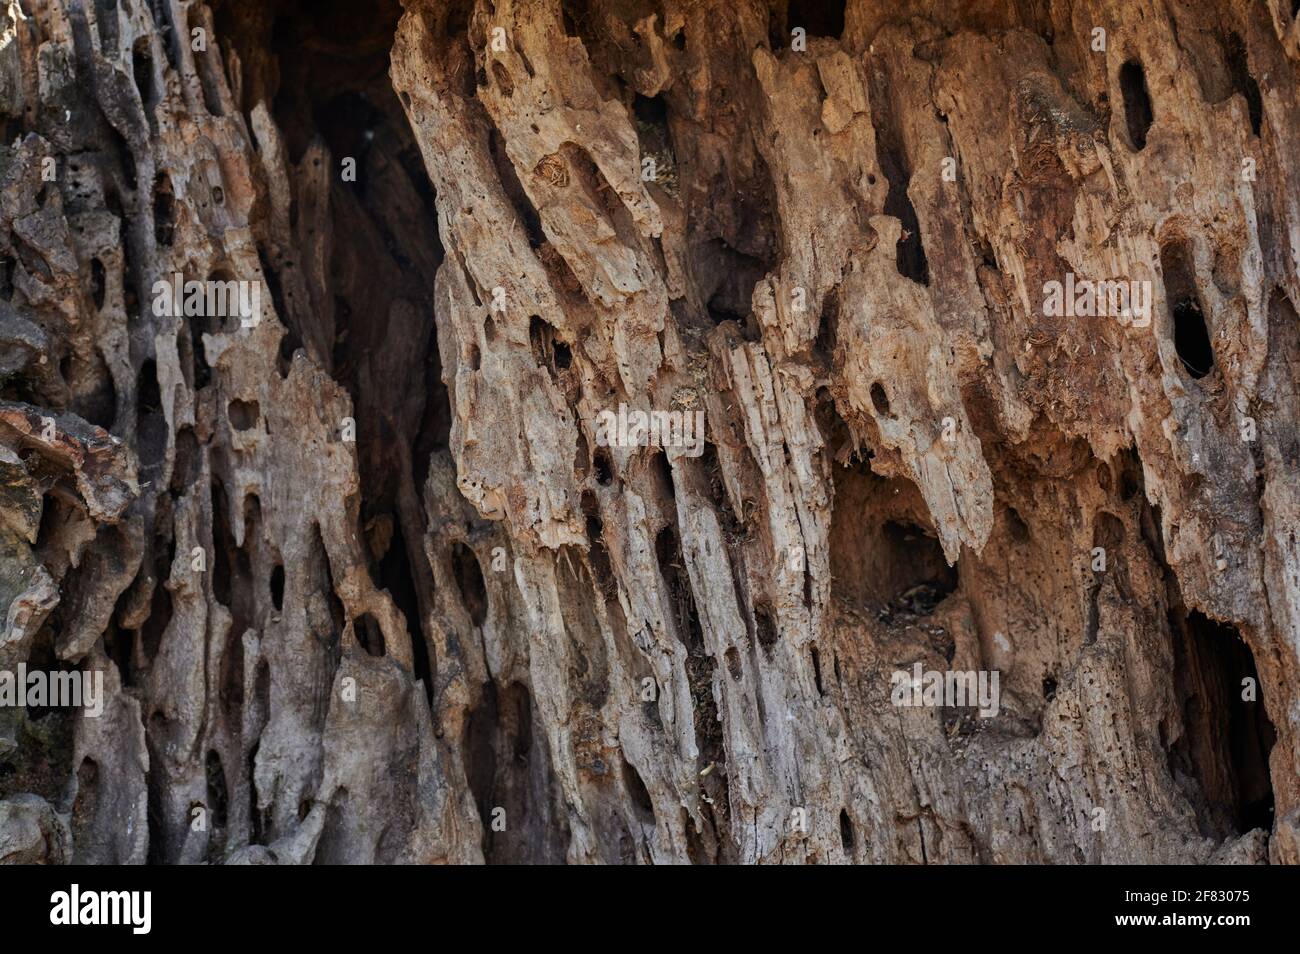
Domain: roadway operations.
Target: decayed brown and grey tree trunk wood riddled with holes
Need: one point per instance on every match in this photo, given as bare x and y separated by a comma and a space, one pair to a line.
374, 570
